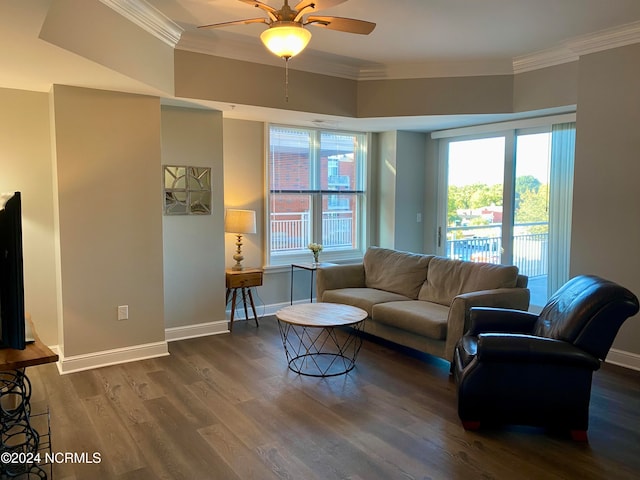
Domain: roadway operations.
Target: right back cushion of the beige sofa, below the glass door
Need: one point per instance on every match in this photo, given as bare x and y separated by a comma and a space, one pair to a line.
447, 278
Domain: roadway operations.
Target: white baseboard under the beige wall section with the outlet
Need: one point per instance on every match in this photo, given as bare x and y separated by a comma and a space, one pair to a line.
78, 363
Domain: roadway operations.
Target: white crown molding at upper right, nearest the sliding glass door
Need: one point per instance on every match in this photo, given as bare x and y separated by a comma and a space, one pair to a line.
573, 49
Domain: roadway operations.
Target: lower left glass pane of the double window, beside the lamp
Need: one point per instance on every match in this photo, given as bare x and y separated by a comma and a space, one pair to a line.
290, 222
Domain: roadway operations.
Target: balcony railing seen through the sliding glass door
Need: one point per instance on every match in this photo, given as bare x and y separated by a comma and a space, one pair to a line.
484, 244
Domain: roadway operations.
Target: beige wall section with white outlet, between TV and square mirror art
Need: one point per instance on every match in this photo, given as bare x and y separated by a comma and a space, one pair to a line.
109, 195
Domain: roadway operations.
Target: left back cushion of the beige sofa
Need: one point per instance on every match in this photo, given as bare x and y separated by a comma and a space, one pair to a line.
395, 271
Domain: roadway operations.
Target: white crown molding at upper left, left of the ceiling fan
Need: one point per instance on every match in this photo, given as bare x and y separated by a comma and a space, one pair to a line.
148, 18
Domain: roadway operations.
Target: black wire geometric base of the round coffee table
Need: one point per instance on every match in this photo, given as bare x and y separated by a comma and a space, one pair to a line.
321, 351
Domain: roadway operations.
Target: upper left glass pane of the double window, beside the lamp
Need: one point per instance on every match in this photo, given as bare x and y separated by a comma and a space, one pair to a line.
289, 155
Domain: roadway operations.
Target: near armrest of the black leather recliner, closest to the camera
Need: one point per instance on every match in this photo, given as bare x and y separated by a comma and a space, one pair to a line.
517, 348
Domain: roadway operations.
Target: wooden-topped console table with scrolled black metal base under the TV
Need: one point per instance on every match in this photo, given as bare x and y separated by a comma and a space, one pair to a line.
16, 432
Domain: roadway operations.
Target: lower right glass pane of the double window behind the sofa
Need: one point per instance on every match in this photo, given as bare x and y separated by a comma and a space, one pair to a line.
340, 221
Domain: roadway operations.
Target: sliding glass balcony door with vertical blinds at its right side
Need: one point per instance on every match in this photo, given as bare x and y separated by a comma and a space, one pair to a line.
507, 199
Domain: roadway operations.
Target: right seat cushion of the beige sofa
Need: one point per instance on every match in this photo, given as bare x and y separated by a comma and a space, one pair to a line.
422, 318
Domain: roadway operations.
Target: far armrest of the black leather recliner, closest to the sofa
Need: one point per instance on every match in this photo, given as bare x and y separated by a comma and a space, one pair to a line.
500, 320
